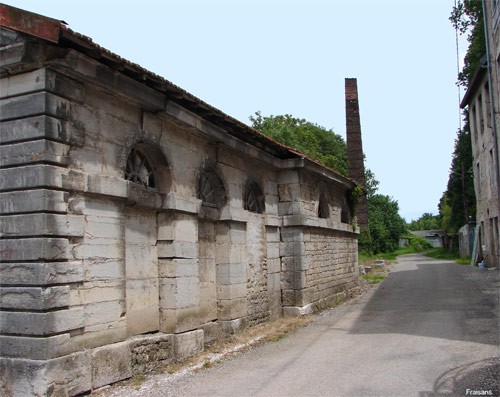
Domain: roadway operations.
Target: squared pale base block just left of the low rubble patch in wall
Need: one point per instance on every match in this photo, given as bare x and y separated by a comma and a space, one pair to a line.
111, 364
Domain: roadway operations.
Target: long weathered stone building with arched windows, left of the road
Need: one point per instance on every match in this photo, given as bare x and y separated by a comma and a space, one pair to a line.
139, 222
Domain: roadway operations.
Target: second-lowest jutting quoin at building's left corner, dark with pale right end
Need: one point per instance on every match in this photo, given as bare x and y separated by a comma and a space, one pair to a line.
34, 298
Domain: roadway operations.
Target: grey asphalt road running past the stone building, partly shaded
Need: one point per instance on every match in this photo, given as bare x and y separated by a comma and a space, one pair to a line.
431, 328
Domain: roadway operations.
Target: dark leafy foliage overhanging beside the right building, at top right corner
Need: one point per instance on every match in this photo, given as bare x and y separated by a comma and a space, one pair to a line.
467, 18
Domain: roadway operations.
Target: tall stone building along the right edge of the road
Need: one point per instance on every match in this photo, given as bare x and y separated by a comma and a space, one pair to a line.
483, 102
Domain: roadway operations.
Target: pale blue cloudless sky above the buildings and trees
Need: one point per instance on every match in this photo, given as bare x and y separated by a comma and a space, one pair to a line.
291, 56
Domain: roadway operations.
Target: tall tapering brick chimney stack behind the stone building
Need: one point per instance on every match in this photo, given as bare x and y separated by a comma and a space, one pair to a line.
355, 157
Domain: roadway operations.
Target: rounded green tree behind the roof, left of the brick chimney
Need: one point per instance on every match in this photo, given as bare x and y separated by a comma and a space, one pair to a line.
311, 139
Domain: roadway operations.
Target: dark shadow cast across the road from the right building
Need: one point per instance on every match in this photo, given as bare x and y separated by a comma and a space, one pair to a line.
433, 298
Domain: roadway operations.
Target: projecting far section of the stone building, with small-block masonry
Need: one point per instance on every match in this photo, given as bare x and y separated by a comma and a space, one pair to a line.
318, 252
